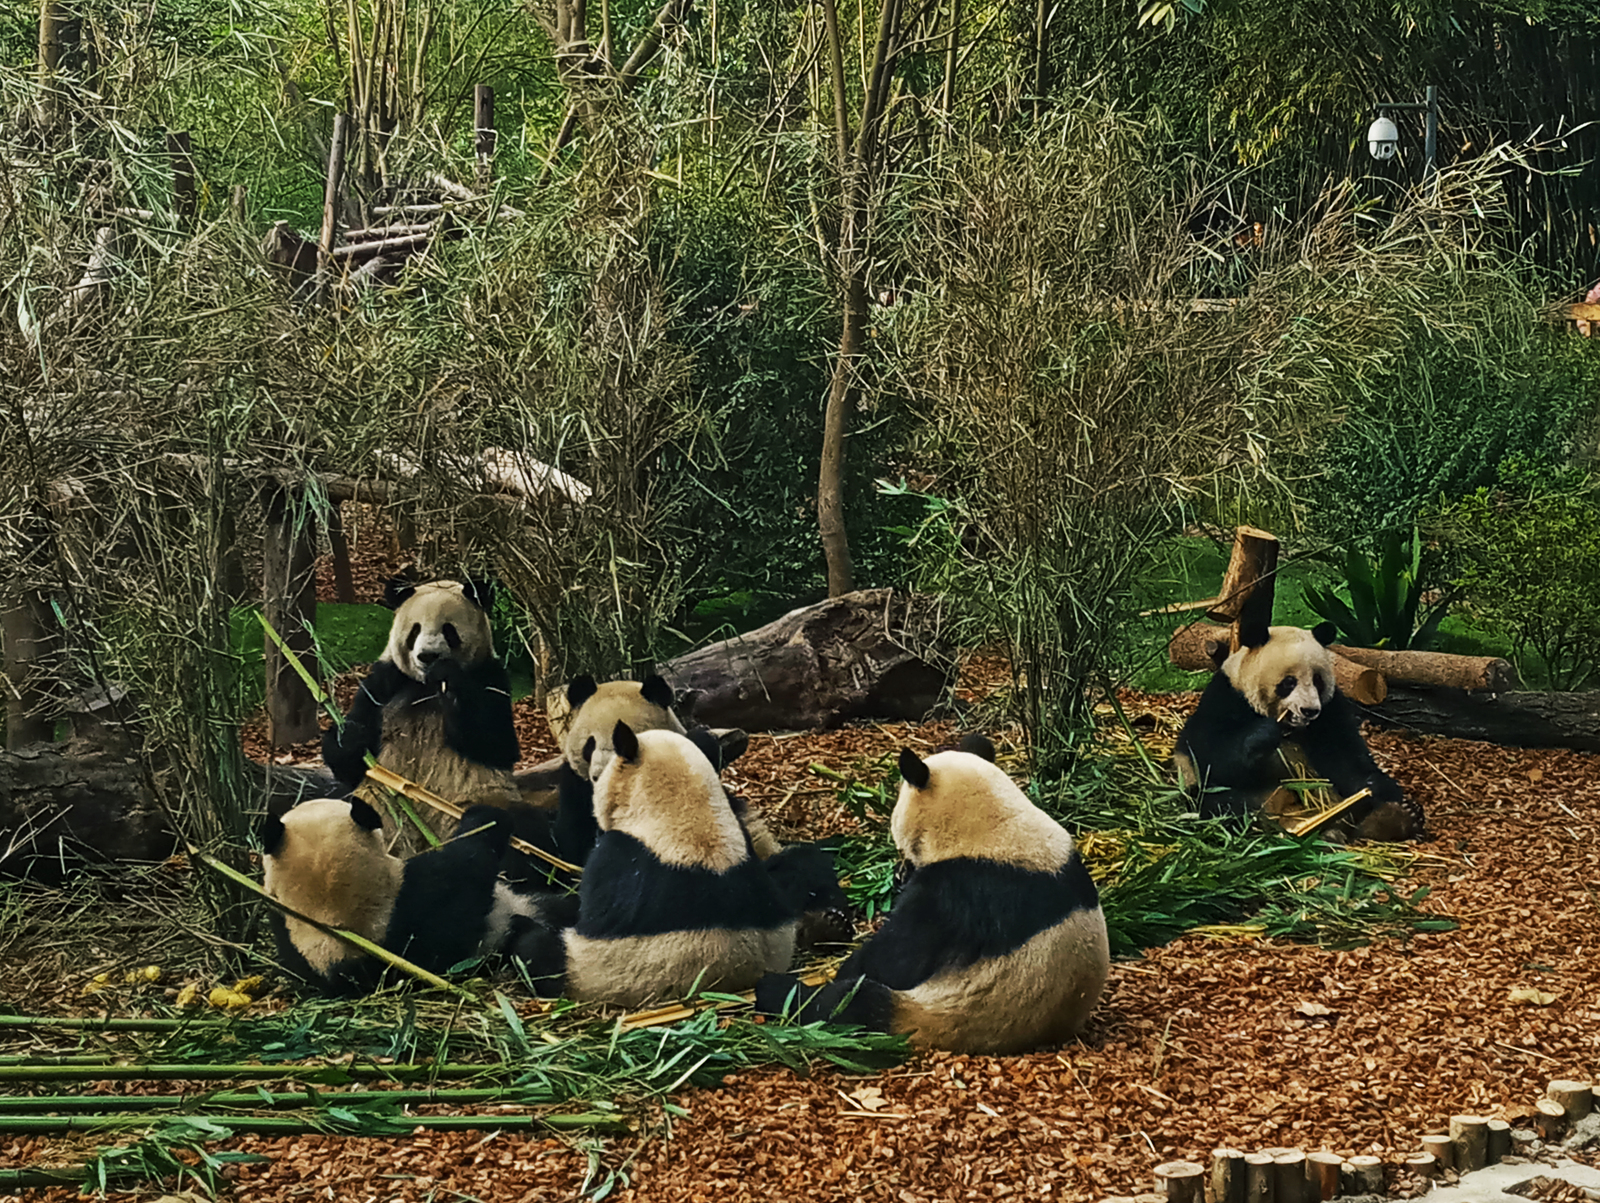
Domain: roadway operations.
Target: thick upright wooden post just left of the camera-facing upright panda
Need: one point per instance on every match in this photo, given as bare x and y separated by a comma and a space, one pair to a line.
290, 602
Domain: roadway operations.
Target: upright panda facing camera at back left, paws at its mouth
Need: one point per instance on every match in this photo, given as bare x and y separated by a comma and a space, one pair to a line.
436, 708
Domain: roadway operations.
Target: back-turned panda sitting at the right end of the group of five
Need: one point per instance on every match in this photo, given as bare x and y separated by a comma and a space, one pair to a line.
996, 945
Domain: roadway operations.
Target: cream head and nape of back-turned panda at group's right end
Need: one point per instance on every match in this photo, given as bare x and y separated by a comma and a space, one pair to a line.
970, 809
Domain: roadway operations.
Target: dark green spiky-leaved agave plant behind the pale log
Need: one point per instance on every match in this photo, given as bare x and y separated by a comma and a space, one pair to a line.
1386, 598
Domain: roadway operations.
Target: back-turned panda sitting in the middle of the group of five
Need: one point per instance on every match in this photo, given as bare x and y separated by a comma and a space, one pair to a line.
673, 897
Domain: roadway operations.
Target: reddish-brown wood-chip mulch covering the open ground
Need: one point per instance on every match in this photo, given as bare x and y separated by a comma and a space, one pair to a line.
1196, 1045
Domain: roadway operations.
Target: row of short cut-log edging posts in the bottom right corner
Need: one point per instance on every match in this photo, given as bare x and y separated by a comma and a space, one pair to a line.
1294, 1177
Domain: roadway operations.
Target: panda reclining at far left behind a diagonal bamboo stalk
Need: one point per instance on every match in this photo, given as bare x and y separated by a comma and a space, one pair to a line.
327, 860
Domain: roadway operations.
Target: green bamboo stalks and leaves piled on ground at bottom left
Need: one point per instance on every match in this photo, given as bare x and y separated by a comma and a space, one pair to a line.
390, 1065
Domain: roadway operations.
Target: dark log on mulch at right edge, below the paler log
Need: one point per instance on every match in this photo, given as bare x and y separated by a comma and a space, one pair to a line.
1526, 719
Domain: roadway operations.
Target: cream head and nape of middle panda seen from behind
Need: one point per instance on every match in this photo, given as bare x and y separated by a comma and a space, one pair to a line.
670, 799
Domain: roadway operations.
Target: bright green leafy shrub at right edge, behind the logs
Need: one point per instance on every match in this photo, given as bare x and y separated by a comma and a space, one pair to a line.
1527, 558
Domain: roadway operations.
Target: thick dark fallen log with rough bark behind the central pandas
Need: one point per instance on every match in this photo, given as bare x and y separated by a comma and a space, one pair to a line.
866, 655
